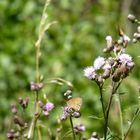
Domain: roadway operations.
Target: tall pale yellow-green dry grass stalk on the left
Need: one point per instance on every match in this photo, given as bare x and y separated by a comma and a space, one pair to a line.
42, 28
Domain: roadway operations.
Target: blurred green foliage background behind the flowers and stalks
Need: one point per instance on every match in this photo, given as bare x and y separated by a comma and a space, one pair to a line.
68, 47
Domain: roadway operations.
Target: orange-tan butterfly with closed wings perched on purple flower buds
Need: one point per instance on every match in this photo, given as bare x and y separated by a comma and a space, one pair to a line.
75, 103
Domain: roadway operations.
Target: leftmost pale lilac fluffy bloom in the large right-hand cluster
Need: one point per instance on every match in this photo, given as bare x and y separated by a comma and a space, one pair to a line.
89, 72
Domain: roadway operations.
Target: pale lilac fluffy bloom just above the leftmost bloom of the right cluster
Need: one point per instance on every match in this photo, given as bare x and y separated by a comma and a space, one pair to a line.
98, 63
